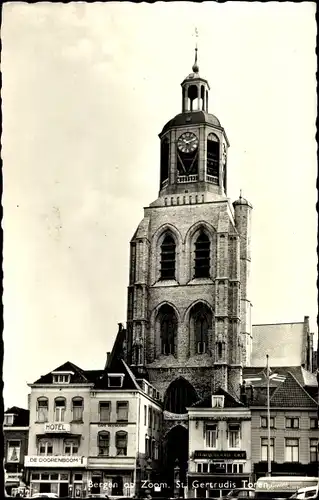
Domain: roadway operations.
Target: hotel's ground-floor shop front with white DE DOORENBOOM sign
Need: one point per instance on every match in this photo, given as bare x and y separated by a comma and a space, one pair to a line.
62, 475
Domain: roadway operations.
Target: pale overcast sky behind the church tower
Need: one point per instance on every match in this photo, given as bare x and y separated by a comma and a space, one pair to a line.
86, 90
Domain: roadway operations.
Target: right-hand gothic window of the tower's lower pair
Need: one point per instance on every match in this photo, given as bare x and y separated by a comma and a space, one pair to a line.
200, 324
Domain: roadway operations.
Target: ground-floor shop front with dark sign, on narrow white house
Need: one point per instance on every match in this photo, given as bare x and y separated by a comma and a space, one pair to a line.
217, 473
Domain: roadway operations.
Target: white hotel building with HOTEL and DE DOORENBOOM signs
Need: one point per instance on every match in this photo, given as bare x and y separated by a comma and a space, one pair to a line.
85, 434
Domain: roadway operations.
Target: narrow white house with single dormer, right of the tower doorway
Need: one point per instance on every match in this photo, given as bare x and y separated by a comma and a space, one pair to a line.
219, 445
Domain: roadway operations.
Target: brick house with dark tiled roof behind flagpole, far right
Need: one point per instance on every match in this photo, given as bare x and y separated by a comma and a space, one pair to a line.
294, 432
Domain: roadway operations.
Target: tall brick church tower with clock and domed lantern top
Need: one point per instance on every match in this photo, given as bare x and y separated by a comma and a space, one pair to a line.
188, 320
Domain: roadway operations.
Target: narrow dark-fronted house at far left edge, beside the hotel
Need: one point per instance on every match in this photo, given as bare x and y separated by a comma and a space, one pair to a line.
15, 434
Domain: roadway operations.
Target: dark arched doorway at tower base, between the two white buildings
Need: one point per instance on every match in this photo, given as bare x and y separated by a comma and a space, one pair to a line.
176, 452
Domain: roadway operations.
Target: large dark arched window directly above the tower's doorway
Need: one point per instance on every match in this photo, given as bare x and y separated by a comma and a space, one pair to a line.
179, 395
